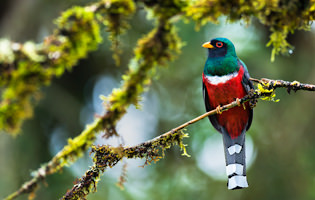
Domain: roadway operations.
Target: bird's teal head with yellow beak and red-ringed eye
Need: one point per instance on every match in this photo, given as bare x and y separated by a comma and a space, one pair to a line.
220, 47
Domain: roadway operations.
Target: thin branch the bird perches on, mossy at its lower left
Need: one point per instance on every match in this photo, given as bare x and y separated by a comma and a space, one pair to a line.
153, 150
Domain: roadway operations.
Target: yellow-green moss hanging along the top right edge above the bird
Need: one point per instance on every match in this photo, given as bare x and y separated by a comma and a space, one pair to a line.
281, 16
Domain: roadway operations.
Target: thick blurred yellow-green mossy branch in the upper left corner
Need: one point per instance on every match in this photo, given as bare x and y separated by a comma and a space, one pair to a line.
24, 68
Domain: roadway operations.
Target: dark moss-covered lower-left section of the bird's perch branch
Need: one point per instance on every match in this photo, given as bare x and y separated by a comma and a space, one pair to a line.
106, 156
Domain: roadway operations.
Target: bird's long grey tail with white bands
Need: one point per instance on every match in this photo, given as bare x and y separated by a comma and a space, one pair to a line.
234, 150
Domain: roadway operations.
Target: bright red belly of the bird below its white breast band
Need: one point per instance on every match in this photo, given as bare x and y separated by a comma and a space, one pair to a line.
235, 119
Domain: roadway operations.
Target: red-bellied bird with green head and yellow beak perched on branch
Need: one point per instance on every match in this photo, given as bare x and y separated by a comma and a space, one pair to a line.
225, 79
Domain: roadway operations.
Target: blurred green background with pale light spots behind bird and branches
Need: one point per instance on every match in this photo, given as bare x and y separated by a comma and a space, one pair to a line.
280, 143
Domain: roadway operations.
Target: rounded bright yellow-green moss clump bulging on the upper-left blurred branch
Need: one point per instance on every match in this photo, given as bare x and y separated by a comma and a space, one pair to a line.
78, 33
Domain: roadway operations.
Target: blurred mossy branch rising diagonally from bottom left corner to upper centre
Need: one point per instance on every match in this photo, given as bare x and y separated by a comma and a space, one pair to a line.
156, 48
